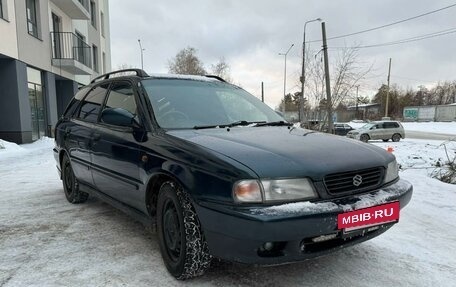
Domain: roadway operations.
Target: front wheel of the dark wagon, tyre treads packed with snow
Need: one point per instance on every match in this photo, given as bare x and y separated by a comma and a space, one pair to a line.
182, 243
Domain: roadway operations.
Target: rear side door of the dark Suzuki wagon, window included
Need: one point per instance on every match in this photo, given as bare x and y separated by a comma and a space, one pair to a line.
78, 133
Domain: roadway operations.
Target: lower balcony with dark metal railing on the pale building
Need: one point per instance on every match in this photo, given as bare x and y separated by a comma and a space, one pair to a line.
71, 53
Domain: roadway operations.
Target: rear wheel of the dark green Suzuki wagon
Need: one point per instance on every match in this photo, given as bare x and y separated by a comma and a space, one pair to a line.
71, 184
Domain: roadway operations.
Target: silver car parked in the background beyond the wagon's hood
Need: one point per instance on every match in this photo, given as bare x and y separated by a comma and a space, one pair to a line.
379, 130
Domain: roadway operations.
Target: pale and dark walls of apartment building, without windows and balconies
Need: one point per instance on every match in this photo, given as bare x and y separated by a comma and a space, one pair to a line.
19, 49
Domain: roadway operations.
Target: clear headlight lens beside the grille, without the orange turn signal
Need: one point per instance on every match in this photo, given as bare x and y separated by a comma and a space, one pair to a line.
288, 189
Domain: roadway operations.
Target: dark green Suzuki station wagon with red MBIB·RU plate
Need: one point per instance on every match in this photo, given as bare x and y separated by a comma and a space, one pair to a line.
220, 173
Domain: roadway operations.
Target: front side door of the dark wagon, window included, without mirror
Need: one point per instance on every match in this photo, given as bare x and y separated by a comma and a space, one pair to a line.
116, 149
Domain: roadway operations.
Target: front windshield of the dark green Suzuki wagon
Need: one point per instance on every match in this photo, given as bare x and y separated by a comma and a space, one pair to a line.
184, 104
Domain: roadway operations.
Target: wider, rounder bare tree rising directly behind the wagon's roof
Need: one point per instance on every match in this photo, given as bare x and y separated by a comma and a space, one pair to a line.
186, 62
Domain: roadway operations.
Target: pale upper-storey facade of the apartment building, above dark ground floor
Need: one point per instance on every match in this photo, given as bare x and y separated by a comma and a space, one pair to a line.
75, 19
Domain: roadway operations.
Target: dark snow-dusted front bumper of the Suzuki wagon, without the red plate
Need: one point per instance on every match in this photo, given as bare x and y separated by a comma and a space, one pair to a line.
239, 233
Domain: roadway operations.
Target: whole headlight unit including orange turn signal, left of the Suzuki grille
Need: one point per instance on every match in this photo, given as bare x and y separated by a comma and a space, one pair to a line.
273, 190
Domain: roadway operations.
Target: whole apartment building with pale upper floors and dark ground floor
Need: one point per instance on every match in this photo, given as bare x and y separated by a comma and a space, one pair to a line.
48, 48
